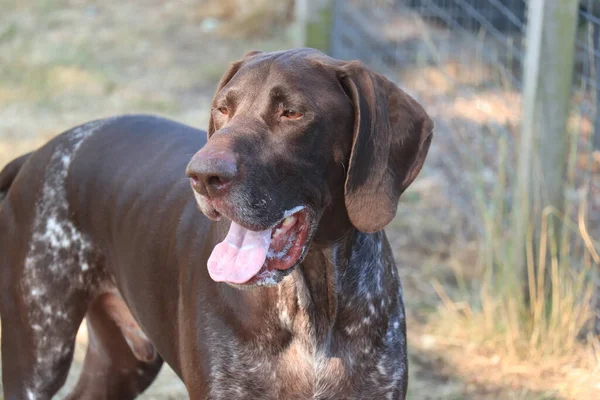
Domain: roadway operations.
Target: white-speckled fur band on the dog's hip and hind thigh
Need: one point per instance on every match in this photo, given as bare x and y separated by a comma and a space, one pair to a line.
58, 259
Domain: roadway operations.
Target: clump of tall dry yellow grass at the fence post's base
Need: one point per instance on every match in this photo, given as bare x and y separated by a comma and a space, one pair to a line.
534, 344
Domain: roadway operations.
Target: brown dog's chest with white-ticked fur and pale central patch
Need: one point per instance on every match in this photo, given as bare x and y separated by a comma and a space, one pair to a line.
360, 355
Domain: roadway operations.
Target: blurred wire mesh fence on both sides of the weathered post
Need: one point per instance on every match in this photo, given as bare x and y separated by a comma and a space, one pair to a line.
464, 60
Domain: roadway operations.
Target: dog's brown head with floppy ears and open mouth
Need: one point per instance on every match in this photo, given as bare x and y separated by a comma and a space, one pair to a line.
294, 136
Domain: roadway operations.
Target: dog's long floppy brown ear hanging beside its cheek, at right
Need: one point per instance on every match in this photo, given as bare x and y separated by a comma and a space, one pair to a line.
392, 134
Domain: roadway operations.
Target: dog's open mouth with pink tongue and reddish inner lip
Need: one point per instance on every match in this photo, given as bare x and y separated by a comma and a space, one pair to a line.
261, 257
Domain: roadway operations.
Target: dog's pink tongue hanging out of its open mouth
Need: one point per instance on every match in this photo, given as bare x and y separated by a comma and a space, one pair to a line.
240, 256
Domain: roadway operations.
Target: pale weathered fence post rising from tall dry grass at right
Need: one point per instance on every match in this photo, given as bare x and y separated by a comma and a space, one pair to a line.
548, 72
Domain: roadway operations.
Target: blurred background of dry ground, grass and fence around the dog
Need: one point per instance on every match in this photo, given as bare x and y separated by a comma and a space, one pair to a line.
497, 241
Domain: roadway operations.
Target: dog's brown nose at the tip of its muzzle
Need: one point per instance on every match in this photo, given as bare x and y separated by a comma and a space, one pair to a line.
211, 175
